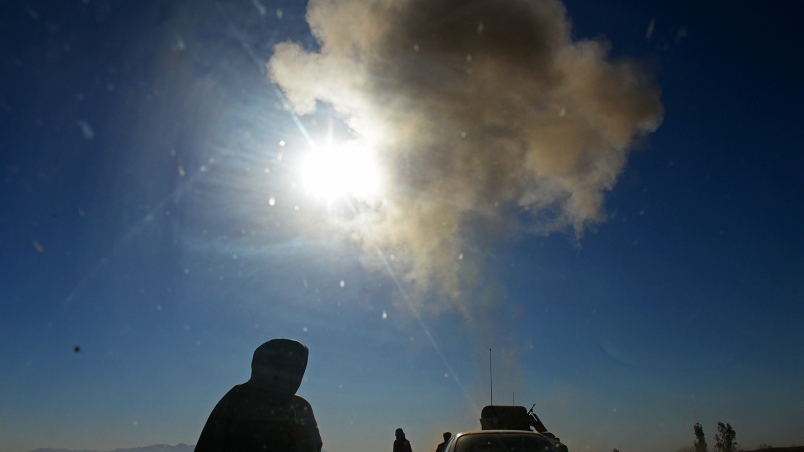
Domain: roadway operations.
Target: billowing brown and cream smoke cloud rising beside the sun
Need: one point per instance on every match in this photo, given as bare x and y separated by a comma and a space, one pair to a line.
488, 118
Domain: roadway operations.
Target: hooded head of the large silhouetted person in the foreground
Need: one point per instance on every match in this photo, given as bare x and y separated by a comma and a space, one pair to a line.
279, 364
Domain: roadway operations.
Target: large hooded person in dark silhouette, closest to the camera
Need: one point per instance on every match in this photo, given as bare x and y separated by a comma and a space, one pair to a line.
264, 414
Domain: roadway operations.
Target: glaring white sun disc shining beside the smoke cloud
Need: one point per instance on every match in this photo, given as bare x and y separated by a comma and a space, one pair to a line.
338, 170
